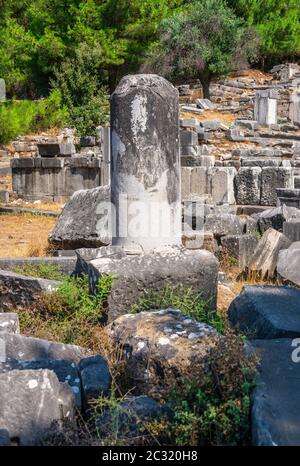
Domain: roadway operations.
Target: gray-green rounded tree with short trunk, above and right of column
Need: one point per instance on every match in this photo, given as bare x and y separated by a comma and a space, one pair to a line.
200, 41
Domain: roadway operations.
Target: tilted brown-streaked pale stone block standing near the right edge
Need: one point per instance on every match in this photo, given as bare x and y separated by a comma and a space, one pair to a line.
265, 255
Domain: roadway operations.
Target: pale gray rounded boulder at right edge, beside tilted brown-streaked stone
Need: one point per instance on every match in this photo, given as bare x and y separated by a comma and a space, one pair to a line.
288, 266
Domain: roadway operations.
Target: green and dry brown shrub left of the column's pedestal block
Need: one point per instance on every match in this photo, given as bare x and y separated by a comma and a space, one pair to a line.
71, 314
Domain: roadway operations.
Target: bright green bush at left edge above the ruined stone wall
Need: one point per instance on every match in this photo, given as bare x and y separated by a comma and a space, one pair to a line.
26, 116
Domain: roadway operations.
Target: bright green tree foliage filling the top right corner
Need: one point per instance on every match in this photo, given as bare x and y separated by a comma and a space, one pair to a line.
278, 25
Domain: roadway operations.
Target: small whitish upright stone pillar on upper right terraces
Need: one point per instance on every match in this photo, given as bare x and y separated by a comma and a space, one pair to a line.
265, 108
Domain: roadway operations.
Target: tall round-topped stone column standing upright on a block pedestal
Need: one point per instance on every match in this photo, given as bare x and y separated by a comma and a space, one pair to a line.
145, 164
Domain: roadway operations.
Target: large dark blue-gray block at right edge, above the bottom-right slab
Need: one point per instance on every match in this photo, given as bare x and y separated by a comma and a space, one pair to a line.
267, 312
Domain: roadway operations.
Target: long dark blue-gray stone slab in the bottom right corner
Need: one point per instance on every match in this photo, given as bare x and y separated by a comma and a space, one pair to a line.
276, 398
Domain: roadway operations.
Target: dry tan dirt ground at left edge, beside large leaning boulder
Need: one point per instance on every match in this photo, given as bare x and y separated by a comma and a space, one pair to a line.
24, 235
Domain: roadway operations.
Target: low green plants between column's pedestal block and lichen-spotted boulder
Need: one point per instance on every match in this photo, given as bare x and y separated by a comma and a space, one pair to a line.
188, 301
